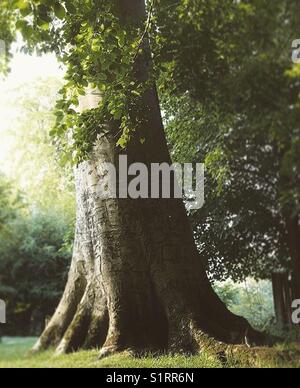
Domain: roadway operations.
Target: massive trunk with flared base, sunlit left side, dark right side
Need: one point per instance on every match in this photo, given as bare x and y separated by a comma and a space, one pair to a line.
136, 280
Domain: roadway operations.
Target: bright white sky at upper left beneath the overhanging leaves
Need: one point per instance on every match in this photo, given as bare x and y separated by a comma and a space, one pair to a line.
24, 69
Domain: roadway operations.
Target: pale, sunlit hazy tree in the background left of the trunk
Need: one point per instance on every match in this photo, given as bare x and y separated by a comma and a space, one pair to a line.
31, 148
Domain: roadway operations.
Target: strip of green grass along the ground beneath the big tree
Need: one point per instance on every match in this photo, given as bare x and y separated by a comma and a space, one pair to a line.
14, 354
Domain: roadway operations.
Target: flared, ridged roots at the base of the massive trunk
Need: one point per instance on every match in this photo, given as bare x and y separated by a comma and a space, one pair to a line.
90, 327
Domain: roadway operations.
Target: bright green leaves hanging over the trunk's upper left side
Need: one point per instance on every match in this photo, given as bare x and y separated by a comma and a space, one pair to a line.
99, 53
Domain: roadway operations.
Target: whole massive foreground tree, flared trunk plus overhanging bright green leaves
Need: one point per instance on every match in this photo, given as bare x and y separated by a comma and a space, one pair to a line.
136, 280
